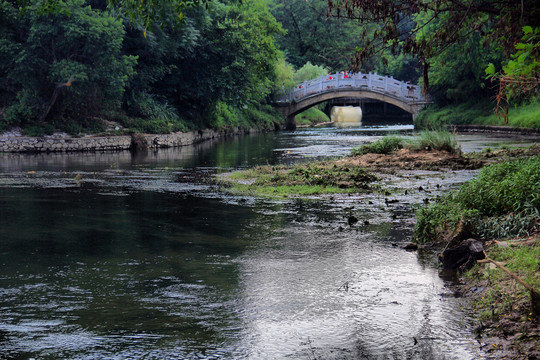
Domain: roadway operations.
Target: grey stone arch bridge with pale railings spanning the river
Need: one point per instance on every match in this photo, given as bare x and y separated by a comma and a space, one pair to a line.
341, 85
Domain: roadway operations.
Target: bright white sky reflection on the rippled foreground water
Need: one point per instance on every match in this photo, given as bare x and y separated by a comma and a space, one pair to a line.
295, 304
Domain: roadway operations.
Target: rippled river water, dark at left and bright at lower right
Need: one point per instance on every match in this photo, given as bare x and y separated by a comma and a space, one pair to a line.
121, 256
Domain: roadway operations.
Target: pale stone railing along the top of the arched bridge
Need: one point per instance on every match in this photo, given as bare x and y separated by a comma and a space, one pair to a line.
357, 81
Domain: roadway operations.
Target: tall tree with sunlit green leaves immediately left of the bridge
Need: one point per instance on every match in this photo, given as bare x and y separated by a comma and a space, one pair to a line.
237, 55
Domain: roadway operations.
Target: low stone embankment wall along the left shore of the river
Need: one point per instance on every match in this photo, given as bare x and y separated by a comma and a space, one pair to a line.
64, 143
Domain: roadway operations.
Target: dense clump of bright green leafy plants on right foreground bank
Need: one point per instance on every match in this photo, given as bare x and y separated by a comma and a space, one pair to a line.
500, 189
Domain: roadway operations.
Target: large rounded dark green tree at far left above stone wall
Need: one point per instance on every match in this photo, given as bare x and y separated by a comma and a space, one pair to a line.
67, 65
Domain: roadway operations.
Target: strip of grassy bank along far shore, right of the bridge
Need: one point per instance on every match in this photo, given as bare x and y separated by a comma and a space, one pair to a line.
522, 116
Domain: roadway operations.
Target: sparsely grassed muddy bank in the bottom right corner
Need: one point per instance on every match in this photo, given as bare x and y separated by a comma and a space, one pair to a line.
502, 306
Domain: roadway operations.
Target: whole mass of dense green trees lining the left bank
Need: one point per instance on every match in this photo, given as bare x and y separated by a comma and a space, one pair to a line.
65, 61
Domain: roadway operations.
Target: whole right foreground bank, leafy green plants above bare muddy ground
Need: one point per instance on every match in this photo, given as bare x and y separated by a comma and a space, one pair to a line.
501, 203
